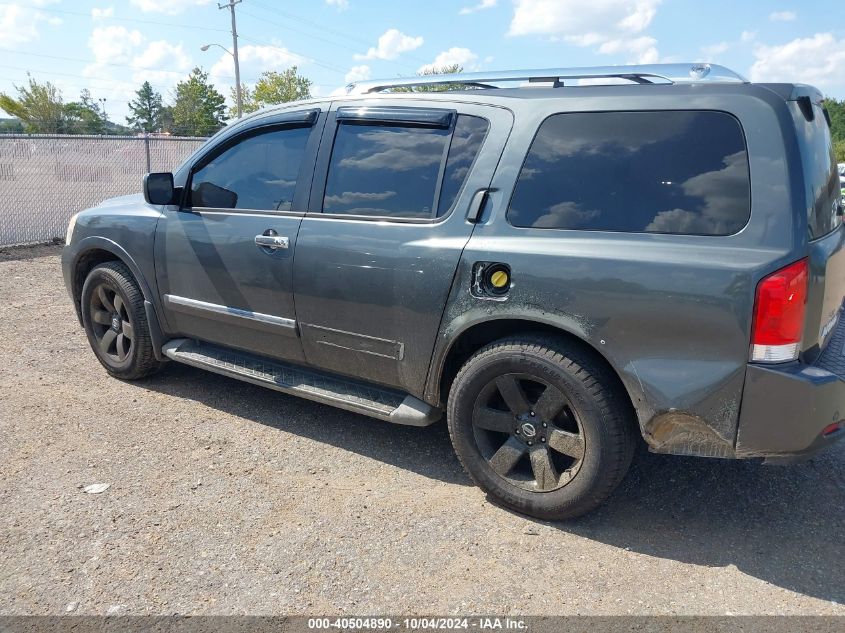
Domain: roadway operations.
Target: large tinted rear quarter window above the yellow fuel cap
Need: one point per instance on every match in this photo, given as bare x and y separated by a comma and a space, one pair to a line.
682, 172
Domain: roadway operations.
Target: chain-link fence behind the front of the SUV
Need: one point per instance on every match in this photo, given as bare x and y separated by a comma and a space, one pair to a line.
45, 179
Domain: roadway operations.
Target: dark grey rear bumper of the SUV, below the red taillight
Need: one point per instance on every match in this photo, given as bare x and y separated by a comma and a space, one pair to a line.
787, 408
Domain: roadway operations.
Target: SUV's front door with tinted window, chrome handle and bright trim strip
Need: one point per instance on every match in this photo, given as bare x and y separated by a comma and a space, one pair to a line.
225, 258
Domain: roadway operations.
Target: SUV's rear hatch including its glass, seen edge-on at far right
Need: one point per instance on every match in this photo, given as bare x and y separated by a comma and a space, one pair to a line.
824, 218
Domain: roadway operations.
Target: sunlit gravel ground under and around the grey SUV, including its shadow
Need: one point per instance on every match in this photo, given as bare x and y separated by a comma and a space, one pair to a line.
226, 498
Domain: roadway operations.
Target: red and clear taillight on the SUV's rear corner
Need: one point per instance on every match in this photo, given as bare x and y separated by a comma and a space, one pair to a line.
779, 314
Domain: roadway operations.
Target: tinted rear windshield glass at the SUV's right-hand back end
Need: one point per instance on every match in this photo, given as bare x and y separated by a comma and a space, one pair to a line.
821, 178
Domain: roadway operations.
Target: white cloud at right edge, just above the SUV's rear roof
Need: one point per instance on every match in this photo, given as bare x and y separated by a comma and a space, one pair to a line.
817, 60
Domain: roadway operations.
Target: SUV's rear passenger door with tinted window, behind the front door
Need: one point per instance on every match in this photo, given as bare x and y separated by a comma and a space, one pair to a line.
385, 229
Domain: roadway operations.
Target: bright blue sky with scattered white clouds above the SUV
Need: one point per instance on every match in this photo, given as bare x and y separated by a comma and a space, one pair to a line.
111, 47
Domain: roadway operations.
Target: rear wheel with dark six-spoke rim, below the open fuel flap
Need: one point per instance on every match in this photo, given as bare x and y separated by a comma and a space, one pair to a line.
541, 426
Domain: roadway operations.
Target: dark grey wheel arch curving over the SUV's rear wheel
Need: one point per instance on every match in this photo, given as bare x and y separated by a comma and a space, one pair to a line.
466, 341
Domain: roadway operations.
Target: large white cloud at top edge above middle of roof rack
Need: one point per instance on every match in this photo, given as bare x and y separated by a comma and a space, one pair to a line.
610, 25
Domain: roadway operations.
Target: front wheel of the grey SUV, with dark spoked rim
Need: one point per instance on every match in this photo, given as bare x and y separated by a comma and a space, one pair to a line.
115, 322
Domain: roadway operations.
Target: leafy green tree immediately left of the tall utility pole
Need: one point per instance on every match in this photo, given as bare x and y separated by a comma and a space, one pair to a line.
198, 109
